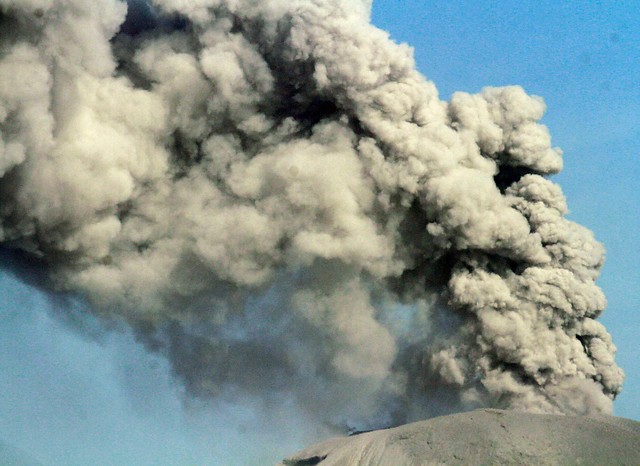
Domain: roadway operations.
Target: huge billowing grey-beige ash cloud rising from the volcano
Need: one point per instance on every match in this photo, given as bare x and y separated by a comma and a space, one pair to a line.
272, 196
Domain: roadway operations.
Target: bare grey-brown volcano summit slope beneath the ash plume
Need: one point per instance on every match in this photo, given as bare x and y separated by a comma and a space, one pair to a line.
485, 436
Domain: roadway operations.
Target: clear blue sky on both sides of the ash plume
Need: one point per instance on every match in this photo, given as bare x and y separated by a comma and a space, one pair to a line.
71, 400
